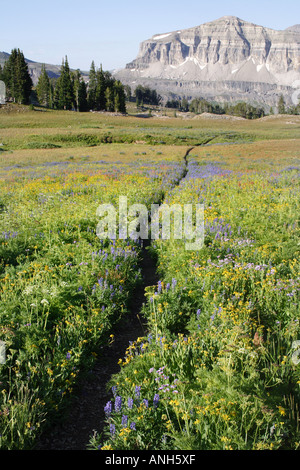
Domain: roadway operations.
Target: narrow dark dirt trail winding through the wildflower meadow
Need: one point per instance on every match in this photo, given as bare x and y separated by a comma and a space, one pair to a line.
86, 413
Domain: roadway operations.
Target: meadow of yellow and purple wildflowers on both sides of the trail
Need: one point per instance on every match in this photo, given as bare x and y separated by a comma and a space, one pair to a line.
218, 367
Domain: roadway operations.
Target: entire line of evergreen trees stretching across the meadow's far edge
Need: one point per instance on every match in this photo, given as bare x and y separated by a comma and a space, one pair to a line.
102, 92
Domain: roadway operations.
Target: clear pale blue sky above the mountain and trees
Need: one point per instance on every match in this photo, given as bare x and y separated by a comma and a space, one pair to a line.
109, 32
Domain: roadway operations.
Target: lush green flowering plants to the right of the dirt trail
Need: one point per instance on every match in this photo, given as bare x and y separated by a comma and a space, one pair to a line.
221, 325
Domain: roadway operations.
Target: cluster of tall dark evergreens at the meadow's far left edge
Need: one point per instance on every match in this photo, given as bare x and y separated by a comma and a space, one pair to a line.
69, 91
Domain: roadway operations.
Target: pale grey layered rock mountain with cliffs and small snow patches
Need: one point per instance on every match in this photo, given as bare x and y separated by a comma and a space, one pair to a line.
224, 60
